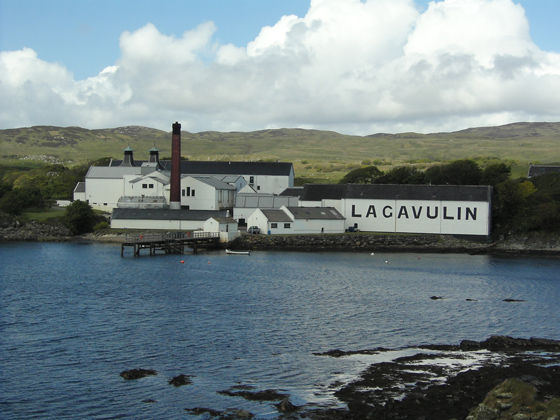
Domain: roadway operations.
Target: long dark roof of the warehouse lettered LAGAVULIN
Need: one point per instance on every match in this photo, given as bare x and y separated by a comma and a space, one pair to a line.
318, 192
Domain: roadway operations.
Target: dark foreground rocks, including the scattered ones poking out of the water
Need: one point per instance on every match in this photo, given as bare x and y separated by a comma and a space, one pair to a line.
501, 378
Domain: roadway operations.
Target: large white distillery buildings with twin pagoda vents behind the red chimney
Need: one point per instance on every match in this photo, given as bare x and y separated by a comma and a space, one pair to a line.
206, 185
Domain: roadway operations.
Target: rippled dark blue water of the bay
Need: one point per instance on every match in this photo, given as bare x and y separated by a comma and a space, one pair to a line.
72, 317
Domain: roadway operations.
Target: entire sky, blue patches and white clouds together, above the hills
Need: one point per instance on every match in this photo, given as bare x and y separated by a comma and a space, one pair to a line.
97, 63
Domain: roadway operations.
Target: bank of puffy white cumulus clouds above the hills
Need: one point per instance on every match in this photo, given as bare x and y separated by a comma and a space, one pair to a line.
357, 67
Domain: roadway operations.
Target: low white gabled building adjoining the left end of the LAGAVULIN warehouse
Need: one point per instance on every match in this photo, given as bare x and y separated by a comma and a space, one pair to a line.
298, 220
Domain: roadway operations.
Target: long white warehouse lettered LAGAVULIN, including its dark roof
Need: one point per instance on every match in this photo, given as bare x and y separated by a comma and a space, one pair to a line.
439, 209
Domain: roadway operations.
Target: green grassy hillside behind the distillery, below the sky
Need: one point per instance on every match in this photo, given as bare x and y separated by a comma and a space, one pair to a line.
317, 155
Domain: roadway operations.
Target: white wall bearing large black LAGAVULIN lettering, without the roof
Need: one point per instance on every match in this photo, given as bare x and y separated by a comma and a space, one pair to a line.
414, 216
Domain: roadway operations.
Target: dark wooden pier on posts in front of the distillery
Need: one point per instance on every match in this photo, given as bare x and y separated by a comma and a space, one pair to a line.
170, 243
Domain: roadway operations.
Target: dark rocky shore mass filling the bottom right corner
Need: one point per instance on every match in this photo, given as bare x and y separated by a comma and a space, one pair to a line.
517, 379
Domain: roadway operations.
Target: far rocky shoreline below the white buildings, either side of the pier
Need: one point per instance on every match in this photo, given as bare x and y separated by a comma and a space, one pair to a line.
536, 244
